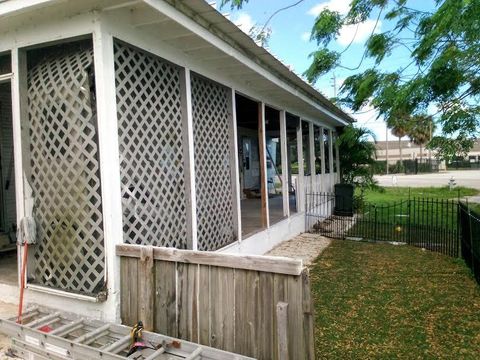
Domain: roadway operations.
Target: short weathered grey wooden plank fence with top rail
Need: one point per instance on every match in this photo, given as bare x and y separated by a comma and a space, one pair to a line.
251, 305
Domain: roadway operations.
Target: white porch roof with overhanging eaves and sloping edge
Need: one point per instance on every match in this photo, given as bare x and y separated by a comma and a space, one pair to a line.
199, 30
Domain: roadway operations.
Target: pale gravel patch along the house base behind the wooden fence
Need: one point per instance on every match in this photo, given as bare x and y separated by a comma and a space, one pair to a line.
306, 247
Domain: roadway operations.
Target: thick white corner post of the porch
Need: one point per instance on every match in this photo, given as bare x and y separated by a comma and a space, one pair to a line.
108, 148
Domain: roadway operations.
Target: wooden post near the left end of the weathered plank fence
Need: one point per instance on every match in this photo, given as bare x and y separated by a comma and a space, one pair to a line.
146, 287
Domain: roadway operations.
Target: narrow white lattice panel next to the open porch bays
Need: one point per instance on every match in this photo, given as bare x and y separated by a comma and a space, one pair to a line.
211, 122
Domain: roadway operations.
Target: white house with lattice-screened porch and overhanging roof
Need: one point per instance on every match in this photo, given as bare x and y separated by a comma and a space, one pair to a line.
154, 122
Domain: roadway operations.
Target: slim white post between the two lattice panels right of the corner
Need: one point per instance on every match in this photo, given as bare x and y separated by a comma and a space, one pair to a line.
189, 158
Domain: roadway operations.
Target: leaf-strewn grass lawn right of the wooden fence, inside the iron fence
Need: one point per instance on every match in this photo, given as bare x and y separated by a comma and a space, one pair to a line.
379, 301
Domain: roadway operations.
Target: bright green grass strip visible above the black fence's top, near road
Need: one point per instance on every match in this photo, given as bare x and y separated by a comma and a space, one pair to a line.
390, 194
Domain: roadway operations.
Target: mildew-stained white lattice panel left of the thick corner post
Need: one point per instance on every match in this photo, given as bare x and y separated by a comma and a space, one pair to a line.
65, 172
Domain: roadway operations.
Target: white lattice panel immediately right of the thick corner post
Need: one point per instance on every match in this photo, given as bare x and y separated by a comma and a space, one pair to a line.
151, 149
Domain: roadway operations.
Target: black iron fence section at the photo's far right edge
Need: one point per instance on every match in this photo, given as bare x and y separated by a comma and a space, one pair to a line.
470, 239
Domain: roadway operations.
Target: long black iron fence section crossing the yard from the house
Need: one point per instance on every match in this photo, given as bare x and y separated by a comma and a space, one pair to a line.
423, 222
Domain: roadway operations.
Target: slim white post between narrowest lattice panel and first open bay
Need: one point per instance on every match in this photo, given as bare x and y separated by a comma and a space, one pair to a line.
237, 211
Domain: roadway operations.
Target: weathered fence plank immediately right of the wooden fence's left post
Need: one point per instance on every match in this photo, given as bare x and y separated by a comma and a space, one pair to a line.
165, 299
